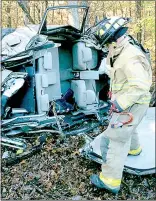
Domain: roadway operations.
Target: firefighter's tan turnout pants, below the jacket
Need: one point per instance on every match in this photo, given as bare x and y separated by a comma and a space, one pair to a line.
116, 142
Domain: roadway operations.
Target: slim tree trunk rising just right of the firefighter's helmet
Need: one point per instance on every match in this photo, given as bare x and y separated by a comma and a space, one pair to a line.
138, 17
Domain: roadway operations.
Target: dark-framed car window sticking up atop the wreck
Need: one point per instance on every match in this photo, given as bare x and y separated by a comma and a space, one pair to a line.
64, 16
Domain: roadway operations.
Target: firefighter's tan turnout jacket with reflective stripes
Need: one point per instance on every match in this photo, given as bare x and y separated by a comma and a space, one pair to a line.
131, 75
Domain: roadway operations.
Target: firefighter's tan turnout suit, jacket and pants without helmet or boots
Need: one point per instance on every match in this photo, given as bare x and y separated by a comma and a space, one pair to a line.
131, 78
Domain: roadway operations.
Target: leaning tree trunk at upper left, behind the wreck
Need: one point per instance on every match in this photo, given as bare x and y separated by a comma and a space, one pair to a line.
23, 5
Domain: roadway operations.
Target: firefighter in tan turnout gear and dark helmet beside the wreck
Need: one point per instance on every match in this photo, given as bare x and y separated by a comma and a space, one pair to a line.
131, 78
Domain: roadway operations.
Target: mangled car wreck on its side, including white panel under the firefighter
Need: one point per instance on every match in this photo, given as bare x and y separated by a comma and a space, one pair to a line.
54, 81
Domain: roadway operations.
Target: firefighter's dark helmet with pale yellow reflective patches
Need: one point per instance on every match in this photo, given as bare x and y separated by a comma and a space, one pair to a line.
106, 29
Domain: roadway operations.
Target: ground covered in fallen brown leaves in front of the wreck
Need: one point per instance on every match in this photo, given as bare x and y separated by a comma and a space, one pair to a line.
59, 172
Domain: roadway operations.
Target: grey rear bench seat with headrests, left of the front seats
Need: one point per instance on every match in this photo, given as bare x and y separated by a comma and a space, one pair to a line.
47, 78
